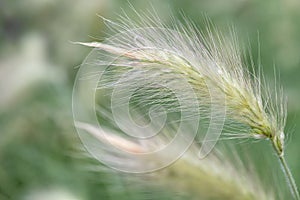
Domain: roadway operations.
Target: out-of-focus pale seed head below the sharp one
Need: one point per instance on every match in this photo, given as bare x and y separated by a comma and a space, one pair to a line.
211, 178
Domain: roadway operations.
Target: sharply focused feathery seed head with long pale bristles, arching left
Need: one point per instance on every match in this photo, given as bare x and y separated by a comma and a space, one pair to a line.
202, 60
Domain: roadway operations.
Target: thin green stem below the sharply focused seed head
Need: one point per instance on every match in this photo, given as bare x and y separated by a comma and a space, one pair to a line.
288, 174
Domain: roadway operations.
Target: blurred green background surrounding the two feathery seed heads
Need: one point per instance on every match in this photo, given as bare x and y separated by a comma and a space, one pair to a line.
38, 65
